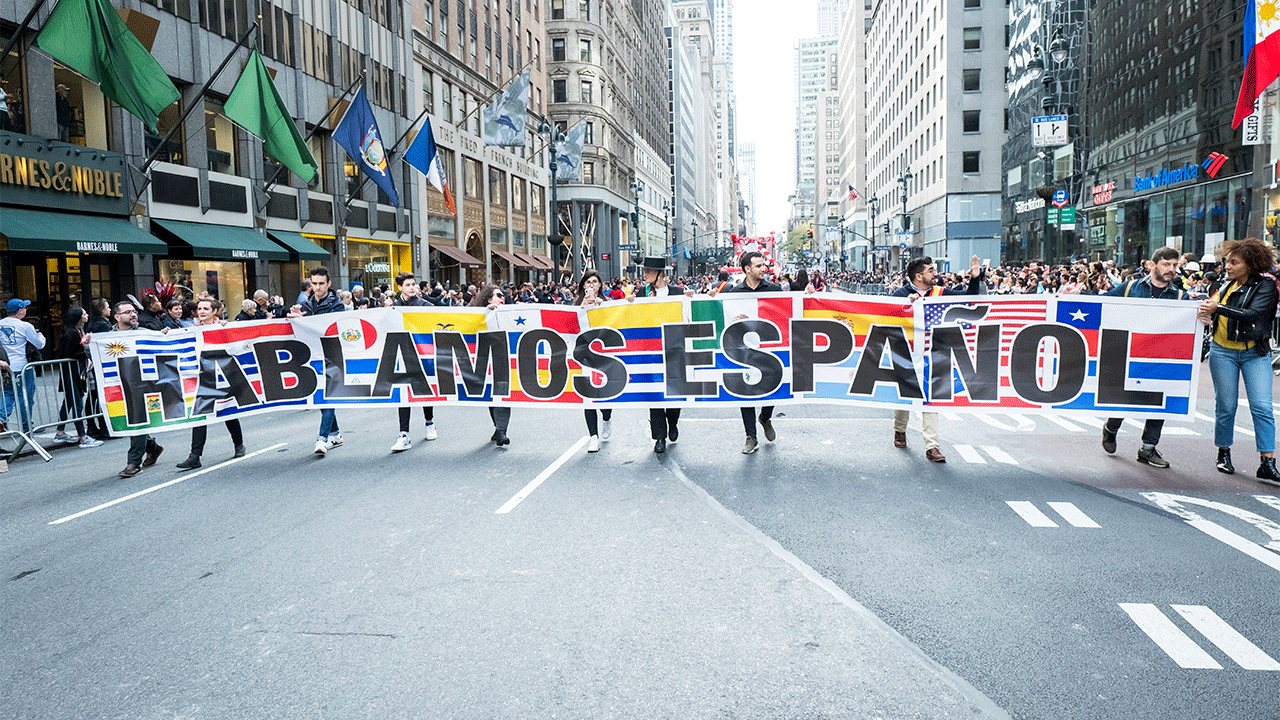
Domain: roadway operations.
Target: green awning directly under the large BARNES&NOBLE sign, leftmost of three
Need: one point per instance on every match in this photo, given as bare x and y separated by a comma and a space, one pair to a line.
40, 231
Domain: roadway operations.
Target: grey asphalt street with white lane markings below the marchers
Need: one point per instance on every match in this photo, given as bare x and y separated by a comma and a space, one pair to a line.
828, 576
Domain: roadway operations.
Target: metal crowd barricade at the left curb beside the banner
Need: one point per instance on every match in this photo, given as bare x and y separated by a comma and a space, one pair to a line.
60, 397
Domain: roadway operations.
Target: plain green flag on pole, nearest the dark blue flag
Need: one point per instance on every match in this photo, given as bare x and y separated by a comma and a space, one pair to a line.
257, 107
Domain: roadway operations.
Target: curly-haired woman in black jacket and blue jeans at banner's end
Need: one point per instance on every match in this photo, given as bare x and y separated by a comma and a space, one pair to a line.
1240, 317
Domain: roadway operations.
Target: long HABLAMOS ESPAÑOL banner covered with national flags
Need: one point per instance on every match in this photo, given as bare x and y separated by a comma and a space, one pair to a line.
1085, 356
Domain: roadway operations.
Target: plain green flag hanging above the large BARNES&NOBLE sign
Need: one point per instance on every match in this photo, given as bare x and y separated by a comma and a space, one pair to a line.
90, 38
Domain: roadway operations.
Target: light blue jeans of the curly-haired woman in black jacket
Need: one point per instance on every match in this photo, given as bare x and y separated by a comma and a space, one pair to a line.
1227, 367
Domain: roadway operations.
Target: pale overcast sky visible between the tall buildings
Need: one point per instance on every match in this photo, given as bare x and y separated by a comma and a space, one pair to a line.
765, 37
